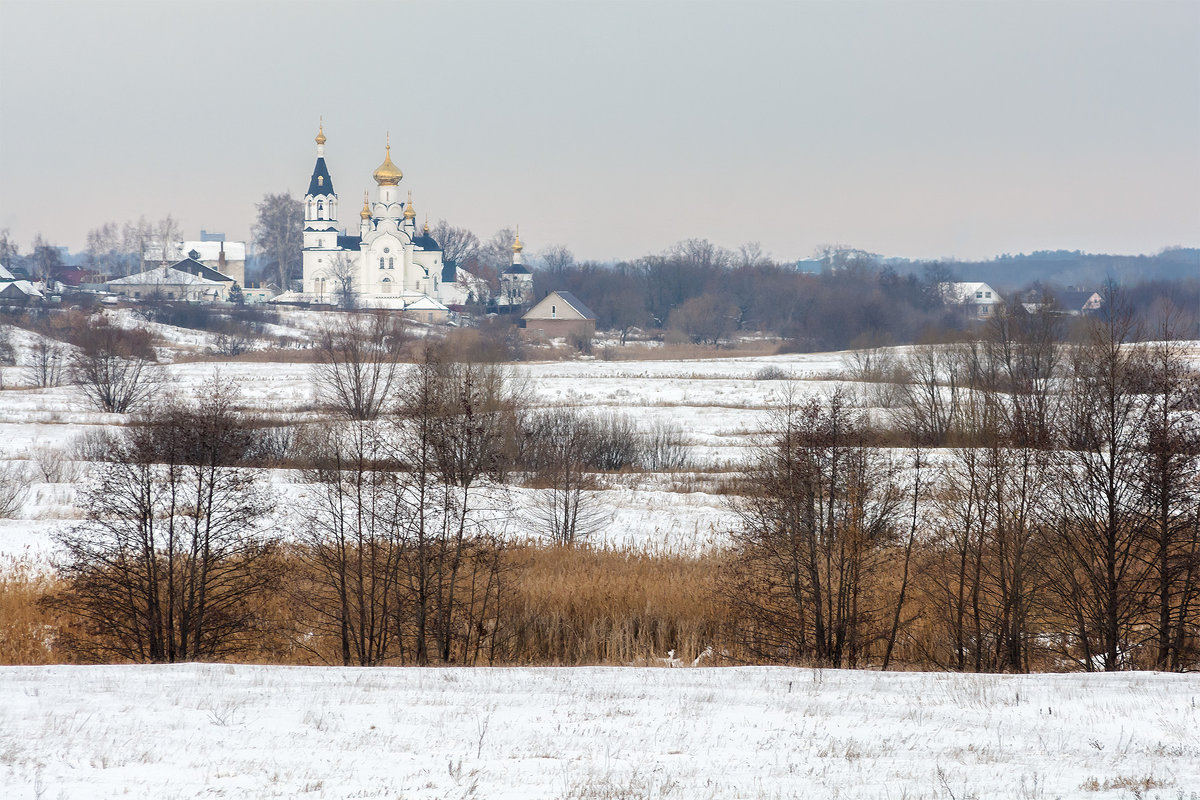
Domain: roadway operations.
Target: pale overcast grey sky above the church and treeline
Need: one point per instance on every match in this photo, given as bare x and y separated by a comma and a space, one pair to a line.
913, 129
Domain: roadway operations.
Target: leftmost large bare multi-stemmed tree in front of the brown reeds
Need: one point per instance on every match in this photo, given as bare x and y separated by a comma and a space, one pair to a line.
172, 556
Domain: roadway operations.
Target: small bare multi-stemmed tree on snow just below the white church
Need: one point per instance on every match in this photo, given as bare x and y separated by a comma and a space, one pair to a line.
359, 364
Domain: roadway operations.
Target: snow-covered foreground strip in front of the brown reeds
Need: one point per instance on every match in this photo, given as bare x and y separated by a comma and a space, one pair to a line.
593, 733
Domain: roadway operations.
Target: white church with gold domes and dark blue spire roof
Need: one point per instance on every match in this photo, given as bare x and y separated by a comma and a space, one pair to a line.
389, 263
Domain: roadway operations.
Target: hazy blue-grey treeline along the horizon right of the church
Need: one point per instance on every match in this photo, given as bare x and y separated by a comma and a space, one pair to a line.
707, 294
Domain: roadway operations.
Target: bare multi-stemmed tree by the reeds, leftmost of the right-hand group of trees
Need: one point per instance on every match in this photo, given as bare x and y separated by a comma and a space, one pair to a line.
818, 520
